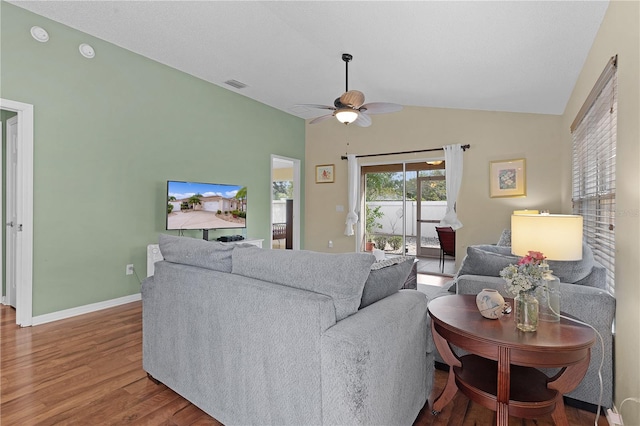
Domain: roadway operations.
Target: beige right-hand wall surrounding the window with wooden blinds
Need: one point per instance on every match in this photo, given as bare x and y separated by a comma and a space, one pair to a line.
619, 34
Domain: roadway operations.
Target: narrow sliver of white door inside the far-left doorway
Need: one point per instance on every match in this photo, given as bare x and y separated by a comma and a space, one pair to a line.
11, 210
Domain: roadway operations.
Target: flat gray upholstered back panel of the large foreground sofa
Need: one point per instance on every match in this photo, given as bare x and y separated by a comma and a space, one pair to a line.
244, 350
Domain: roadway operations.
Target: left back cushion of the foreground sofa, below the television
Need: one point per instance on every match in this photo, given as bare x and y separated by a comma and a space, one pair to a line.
195, 252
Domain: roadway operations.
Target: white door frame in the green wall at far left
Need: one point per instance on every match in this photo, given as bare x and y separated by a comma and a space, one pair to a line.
24, 201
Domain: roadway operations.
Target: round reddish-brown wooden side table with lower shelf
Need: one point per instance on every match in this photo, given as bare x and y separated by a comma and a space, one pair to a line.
501, 370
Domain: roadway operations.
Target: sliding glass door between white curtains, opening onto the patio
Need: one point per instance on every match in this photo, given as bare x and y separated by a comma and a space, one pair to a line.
402, 204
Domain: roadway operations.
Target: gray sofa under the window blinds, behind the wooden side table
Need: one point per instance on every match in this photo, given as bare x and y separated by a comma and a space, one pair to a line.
583, 295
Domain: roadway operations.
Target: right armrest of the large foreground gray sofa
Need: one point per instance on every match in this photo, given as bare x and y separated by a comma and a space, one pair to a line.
375, 365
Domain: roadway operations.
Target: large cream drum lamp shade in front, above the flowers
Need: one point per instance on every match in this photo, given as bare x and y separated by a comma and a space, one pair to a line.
556, 236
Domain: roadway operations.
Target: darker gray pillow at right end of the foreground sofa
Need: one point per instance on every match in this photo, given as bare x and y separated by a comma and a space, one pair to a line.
386, 277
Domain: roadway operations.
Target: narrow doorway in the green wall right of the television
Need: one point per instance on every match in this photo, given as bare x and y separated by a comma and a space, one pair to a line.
285, 203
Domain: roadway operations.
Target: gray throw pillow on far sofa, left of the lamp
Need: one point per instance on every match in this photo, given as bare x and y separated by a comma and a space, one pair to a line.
486, 260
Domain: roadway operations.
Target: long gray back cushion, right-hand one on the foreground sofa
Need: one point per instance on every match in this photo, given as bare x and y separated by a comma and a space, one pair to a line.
339, 276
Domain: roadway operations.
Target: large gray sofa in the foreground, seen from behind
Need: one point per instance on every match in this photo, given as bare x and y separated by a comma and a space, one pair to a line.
255, 336
